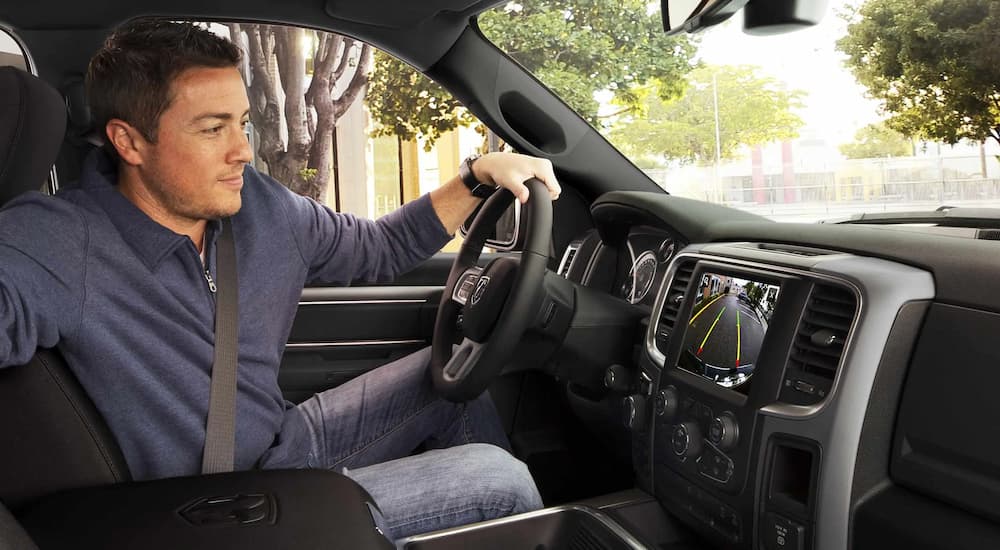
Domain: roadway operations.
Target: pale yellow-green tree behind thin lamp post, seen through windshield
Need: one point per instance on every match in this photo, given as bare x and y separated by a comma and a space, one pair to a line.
752, 109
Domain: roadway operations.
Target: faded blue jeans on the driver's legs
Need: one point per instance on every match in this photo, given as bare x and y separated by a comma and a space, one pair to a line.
370, 426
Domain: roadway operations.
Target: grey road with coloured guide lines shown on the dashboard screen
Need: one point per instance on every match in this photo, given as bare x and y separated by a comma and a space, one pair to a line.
724, 333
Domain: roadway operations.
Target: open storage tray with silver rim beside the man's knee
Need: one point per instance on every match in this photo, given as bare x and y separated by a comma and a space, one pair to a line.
562, 528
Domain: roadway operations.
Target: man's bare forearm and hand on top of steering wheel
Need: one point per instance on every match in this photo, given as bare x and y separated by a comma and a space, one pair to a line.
454, 202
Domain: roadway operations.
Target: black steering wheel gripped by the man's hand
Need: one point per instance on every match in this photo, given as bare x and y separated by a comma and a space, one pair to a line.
497, 303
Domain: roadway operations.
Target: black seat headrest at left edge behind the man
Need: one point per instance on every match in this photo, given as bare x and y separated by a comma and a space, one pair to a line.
32, 127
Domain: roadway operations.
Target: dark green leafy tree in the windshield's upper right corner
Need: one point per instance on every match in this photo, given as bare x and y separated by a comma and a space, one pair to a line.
935, 65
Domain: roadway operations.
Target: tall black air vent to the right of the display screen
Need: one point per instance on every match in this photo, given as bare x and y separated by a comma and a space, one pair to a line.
819, 344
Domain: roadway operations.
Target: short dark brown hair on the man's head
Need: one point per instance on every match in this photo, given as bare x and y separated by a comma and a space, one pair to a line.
129, 78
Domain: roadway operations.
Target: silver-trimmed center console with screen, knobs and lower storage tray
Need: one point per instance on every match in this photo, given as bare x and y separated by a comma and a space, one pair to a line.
746, 414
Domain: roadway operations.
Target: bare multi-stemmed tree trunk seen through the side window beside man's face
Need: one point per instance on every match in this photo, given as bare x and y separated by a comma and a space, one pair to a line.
297, 130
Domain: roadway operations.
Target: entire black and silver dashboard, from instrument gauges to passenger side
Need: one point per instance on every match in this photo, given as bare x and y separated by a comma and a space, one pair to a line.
778, 366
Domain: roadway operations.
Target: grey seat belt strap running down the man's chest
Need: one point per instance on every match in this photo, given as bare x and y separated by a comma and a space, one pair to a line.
220, 430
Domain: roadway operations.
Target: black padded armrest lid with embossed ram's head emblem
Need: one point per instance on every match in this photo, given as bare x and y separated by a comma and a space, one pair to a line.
260, 509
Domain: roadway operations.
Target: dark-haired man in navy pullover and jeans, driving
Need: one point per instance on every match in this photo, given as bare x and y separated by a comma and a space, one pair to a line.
124, 287
